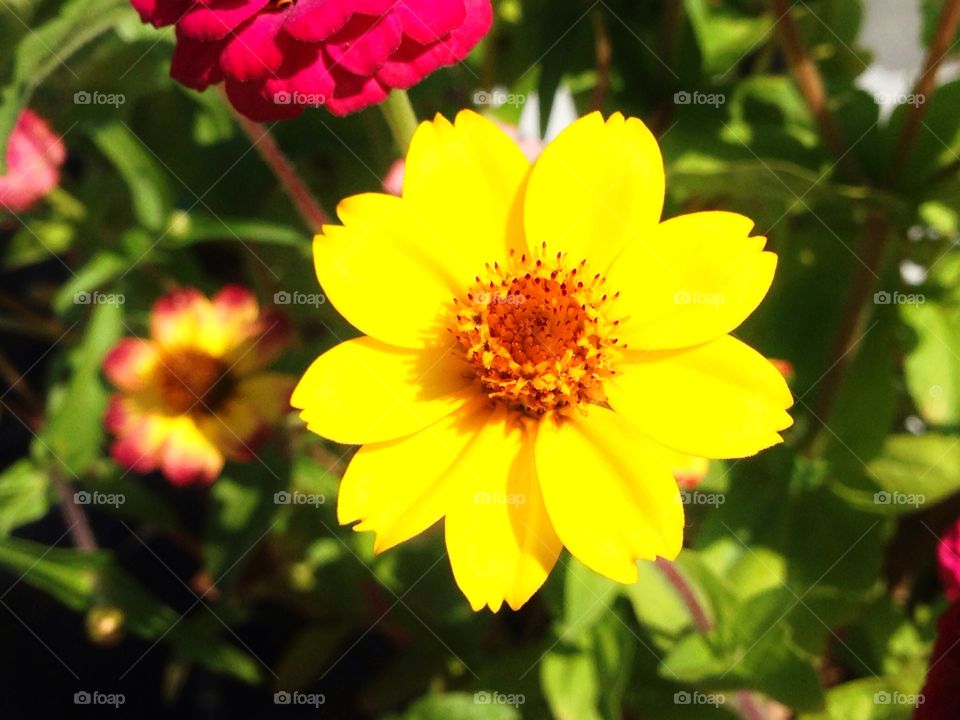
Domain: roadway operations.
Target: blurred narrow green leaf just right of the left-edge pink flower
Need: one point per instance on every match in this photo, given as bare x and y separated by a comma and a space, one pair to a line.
147, 180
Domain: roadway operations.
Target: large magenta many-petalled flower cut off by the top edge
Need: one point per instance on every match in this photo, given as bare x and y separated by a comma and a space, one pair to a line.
277, 57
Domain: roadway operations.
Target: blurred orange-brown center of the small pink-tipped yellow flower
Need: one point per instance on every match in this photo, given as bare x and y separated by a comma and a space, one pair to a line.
193, 381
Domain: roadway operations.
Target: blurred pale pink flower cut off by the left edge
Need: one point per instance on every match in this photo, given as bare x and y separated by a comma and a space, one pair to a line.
34, 156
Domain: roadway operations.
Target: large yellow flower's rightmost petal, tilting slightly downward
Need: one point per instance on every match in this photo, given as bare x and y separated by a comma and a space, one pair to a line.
719, 400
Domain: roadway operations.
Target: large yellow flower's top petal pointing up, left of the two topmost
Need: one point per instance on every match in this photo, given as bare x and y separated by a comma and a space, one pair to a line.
466, 180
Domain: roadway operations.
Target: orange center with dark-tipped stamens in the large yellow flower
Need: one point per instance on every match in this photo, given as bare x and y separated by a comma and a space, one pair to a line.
538, 333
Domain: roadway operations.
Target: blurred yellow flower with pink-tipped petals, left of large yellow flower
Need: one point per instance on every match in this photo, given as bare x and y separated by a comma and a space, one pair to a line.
197, 392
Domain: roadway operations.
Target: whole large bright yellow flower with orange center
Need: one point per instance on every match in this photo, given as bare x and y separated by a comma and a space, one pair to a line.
535, 339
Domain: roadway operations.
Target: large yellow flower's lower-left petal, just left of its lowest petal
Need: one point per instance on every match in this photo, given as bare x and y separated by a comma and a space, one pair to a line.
398, 489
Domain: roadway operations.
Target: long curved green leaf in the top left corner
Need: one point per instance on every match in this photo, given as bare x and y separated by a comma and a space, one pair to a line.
47, 48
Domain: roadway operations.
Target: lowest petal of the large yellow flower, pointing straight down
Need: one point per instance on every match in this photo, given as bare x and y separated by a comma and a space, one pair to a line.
499, 537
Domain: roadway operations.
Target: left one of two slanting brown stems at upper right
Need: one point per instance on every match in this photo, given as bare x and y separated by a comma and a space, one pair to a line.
810, 83
